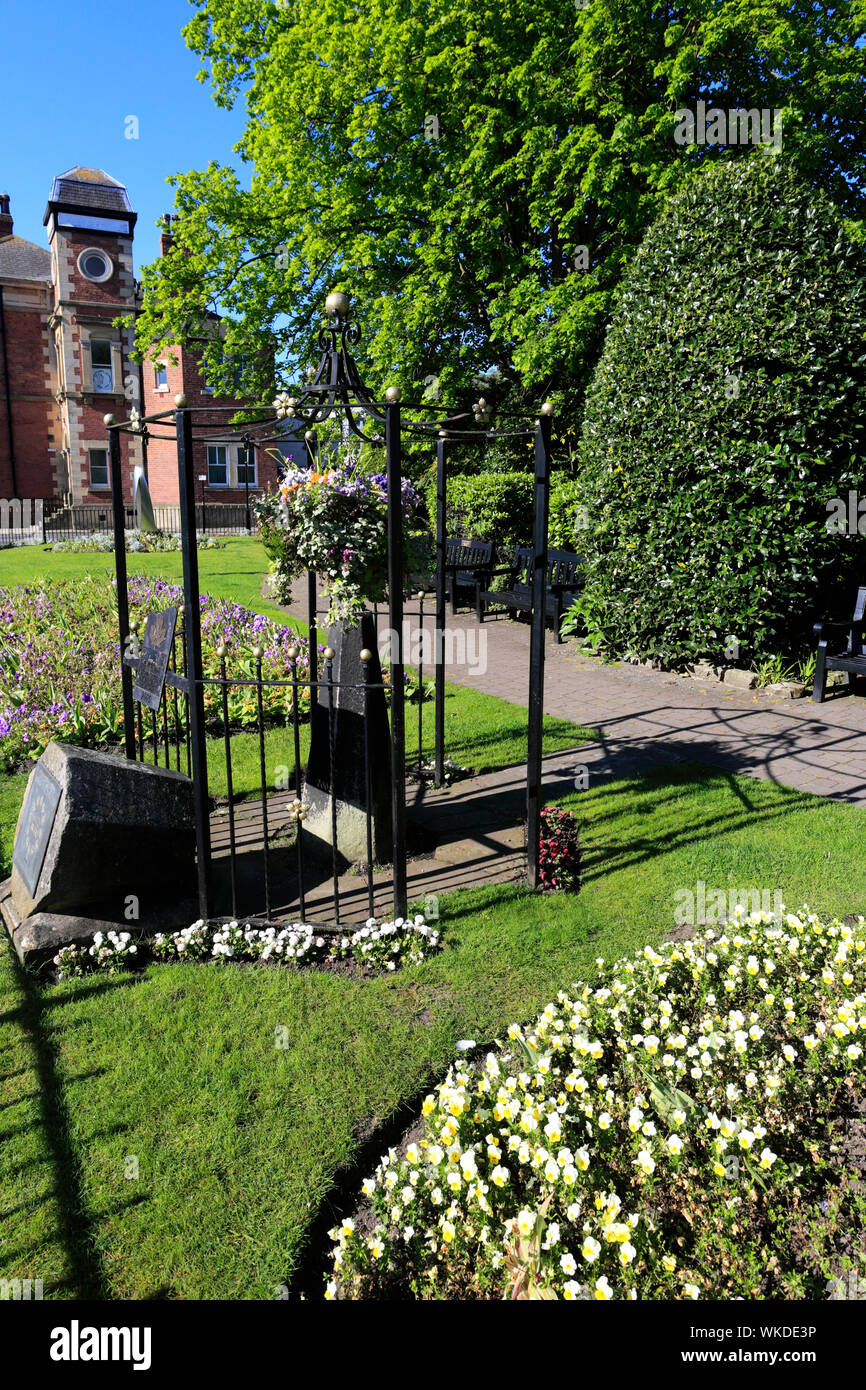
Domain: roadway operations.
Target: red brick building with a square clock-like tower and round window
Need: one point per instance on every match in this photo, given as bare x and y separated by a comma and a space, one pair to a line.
65, 365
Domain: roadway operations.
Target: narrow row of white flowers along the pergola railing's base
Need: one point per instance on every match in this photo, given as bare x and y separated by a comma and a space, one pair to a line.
376, 947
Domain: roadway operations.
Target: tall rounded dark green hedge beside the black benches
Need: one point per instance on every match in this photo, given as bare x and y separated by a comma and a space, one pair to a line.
728, 411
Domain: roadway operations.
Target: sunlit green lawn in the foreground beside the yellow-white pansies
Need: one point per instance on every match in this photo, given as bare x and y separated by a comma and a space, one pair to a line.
238, 1142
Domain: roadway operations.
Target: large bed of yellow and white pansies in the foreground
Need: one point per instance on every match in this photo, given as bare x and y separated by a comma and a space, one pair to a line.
665, 1134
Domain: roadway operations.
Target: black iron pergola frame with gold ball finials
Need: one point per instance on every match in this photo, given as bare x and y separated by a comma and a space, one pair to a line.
337, 391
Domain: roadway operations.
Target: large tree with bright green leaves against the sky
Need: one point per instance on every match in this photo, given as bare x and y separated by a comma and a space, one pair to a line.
477, 176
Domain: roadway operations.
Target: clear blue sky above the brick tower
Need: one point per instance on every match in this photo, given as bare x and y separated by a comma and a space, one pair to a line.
73, 74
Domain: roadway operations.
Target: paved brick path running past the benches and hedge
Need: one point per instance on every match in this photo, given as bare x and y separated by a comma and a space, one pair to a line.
644, 718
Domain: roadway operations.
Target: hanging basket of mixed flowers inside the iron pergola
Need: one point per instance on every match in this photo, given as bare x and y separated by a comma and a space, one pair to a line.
334, 523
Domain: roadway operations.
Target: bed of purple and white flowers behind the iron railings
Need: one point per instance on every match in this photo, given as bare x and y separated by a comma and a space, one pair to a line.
60, 662
